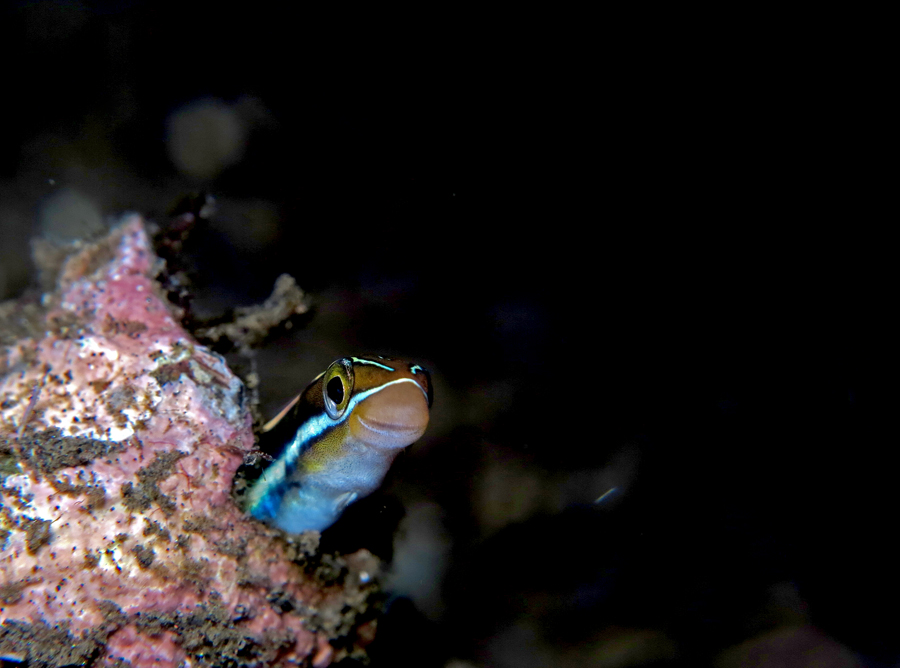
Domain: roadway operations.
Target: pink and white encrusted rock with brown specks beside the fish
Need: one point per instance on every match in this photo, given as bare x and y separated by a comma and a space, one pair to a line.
119, 440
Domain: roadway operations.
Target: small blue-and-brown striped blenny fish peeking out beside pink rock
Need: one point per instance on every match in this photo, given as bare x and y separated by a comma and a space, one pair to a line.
339, 437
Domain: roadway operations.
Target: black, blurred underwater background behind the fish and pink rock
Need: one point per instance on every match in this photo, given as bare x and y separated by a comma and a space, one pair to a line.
636, 253
